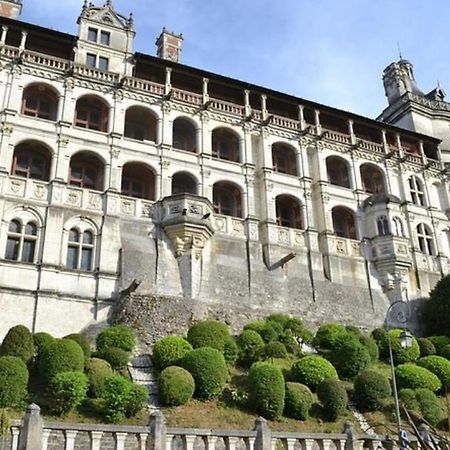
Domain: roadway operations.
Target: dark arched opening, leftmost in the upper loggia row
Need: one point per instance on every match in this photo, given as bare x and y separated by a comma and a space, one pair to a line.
40, 101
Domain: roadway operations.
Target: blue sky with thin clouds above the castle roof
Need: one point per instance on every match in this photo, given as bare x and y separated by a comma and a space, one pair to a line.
329, 51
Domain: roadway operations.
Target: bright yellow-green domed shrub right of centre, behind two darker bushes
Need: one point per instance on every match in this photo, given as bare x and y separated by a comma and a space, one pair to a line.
312, 370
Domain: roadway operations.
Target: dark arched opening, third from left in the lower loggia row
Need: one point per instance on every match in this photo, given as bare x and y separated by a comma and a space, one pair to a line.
138, 181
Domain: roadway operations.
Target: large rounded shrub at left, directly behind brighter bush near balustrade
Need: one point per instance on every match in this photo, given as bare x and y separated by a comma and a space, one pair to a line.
63, 355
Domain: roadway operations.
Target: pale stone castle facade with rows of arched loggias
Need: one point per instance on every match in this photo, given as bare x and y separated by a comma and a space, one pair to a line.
131, 178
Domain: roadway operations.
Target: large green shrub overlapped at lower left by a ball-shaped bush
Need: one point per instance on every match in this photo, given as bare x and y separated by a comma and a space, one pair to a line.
209, 370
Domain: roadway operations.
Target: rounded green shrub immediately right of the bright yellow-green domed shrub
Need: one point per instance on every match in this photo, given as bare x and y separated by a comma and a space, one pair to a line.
349, 356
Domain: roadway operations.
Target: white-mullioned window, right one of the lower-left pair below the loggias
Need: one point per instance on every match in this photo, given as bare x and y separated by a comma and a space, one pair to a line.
80, 250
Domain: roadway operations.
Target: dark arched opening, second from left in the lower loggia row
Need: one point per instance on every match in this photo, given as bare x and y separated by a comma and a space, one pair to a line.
86, 171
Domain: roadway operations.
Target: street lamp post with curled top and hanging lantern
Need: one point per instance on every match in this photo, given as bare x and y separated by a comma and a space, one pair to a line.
400, 311
